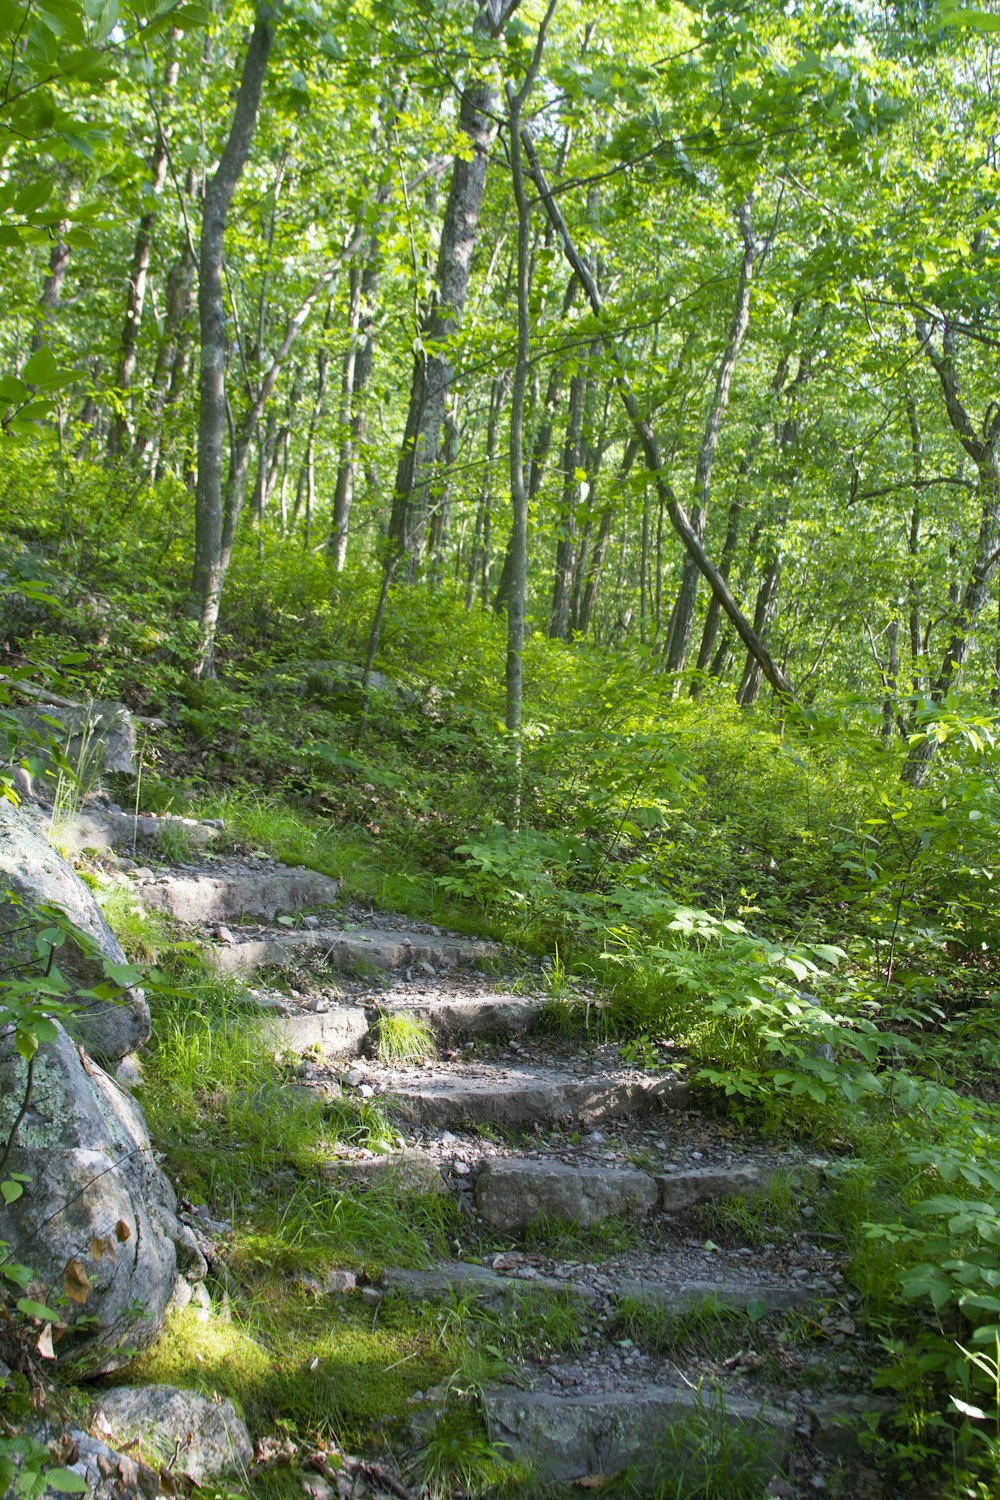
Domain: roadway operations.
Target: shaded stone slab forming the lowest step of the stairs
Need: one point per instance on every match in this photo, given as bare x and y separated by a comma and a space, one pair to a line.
567, 1438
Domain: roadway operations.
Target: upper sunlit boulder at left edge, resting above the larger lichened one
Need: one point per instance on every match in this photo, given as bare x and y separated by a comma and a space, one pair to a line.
37, 877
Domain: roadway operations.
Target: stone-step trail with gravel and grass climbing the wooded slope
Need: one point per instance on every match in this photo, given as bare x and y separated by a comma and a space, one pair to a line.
582, 1178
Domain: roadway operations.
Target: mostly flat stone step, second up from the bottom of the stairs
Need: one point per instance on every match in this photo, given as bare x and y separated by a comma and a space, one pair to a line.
671, 1294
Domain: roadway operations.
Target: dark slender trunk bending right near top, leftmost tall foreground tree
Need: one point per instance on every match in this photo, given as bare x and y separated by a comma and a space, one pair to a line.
211, 562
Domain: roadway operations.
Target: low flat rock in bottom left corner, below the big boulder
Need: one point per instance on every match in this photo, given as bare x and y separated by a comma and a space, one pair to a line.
208, 1436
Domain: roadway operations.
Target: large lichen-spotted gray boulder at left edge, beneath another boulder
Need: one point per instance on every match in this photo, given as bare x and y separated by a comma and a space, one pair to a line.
97, 1222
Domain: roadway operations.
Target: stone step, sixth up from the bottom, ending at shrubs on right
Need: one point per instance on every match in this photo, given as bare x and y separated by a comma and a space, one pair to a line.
335, 949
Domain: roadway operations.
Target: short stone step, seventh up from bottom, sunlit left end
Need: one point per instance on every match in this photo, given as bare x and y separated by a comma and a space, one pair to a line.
247, 895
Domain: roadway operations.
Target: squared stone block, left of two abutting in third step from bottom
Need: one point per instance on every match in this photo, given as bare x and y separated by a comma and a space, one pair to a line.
512, 1193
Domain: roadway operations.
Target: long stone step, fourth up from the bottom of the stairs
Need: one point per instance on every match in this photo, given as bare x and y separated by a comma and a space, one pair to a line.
515, 1099
